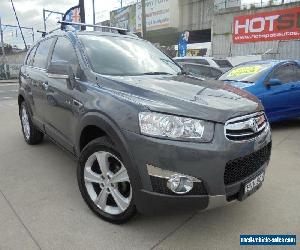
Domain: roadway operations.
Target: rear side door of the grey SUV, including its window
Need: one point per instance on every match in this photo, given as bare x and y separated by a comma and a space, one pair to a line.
39, 80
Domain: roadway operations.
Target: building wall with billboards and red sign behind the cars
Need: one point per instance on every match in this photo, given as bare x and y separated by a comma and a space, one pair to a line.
270, 29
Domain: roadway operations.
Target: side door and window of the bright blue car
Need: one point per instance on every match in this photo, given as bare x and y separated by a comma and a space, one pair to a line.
283, 101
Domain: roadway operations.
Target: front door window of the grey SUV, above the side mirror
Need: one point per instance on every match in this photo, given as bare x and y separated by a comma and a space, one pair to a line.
64, 51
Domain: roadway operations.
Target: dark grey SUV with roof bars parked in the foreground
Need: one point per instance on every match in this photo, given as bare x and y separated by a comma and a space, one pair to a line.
147, 136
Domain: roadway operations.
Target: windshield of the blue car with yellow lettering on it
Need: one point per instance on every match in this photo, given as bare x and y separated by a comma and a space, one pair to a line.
246, 73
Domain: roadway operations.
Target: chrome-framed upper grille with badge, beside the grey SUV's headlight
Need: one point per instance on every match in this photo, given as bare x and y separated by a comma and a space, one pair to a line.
246, 127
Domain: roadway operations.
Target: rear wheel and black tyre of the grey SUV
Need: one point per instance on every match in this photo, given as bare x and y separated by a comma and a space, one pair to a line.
31, 134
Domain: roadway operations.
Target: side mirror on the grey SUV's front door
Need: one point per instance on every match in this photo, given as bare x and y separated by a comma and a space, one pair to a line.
60, 70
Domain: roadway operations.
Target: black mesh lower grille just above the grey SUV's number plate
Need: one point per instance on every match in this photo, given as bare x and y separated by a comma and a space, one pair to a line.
240, 168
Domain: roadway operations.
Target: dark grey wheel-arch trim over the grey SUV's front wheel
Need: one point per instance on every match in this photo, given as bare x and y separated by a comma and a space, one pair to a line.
115, 134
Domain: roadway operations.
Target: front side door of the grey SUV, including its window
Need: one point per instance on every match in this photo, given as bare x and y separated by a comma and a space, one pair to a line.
62, 106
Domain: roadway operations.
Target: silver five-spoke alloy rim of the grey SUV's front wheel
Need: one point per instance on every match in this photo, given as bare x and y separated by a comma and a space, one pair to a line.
107, 182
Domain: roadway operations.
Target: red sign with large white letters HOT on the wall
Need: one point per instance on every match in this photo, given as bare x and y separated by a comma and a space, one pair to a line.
267, 26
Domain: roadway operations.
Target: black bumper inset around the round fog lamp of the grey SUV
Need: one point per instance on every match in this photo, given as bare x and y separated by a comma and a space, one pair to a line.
159, 185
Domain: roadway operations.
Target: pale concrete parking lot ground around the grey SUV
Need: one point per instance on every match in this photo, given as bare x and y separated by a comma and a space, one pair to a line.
41, 207
